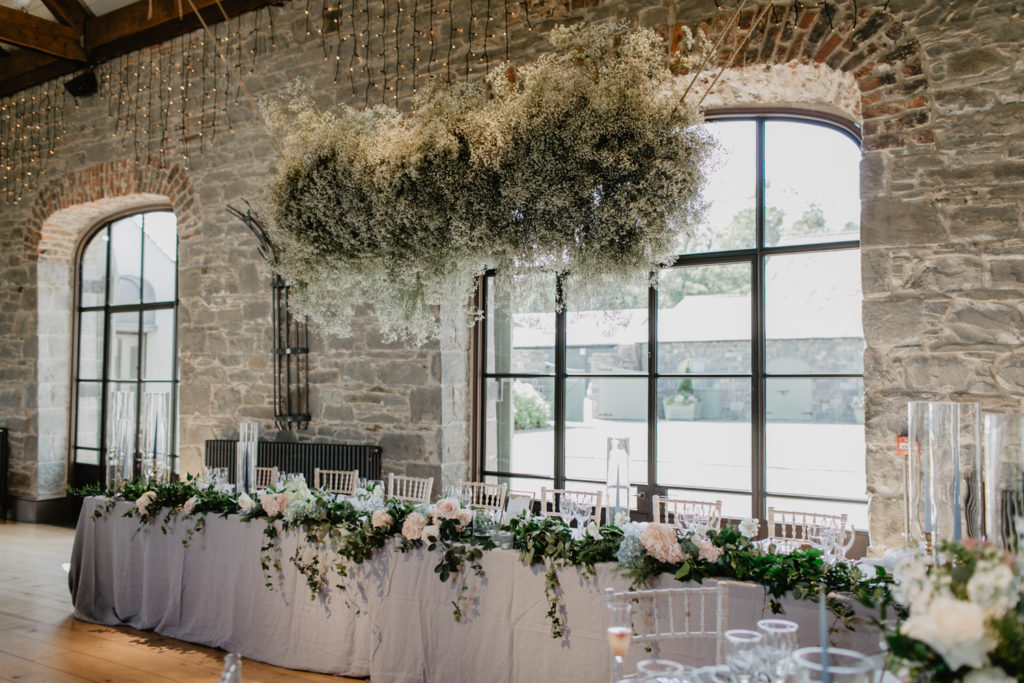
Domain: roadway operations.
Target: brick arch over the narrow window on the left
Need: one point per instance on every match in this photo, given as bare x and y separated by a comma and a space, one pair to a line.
66, 205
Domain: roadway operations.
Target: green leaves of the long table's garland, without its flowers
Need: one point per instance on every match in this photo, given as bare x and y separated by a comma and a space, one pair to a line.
336, 535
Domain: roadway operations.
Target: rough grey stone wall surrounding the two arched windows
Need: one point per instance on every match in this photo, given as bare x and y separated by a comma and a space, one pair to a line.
938, 89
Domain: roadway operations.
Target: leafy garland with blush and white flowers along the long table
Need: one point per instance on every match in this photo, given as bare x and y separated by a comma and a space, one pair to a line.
340, 533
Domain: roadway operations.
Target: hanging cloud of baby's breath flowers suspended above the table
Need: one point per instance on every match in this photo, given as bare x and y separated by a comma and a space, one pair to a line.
589, 161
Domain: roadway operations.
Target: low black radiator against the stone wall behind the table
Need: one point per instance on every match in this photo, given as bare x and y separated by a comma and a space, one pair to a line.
297, 457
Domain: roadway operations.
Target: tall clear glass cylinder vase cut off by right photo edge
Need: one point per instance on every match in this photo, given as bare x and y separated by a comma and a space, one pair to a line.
1005, 481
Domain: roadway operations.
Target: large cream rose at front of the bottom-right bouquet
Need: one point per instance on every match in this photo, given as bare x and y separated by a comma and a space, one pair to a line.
955, 629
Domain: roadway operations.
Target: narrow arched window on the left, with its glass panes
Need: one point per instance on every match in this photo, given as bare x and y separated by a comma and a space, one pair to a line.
126, 322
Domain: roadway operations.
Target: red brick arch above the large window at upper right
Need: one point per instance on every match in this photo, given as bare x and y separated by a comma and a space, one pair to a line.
874, 49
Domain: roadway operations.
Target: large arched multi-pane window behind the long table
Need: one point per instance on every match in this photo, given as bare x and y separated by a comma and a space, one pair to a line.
740, 378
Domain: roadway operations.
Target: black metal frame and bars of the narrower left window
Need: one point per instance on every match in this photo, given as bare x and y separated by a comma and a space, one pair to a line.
84, 474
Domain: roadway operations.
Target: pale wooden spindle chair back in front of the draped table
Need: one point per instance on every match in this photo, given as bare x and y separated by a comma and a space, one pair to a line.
679, 614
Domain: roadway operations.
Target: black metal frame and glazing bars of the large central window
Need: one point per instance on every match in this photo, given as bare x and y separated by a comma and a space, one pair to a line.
756, 259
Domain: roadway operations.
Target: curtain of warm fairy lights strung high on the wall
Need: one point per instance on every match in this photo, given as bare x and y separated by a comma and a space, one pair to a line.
170, 101
